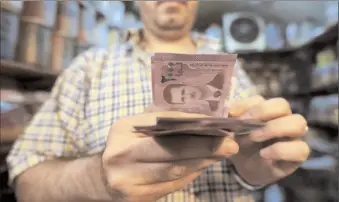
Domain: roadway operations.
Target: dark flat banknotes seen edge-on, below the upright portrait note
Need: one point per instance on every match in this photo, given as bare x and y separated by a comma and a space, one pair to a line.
200, 126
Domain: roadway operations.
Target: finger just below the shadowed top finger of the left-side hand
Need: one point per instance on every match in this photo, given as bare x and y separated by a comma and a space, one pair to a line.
151, 173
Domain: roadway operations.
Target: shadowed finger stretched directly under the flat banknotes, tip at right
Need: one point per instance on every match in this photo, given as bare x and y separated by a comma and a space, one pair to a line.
173, 148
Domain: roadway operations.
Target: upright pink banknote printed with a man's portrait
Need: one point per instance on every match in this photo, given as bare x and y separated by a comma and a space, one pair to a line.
197, 83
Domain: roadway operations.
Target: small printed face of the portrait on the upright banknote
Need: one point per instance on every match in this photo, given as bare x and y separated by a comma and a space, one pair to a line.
186, 94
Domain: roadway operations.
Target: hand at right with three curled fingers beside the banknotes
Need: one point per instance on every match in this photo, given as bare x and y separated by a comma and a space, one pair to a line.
276, 150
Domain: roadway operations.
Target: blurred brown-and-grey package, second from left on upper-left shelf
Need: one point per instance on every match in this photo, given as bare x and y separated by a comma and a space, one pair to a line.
34, 44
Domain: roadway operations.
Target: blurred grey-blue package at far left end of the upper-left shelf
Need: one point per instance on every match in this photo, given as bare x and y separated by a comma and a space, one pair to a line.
9, 32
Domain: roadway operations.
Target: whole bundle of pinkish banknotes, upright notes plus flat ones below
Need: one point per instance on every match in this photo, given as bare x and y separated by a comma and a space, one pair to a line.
195, 83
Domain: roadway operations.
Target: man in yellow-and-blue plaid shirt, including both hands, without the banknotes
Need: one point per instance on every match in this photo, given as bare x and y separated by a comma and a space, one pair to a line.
81, 146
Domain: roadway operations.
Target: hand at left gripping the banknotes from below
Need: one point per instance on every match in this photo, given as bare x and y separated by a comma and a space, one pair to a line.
143, 169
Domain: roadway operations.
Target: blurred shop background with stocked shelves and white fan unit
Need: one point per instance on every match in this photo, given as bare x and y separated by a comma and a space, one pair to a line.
288, 48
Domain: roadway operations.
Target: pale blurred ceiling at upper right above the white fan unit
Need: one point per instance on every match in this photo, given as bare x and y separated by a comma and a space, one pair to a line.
281, 11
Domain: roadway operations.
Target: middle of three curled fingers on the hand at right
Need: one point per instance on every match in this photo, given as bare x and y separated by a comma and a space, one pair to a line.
289, 126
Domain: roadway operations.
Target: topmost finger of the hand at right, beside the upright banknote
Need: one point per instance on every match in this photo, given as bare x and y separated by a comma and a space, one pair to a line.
269, 109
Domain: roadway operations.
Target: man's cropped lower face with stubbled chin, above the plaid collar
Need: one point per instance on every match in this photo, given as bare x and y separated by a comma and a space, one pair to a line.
170, 19
